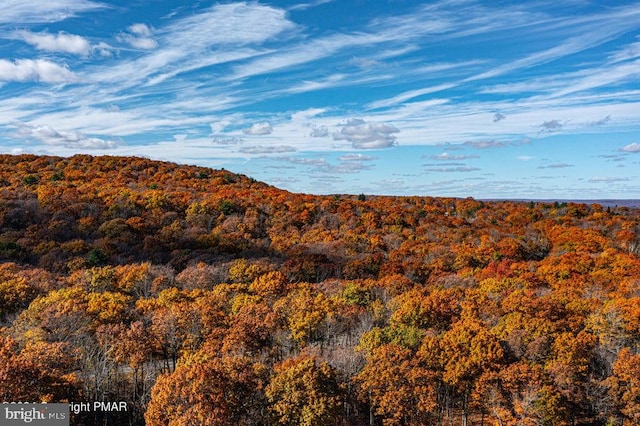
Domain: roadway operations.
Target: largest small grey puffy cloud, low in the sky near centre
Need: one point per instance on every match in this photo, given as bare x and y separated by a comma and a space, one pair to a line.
363, 135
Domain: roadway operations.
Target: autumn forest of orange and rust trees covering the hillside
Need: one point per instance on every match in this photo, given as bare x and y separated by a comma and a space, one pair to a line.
204, 297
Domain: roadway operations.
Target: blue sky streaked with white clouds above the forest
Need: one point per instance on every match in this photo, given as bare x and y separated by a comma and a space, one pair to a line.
493, 99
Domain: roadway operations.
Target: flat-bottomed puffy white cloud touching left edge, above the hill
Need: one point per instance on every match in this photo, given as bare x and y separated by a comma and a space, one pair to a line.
39, 70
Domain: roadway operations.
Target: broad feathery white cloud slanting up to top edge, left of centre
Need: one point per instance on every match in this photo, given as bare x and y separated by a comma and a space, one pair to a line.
217, 35
